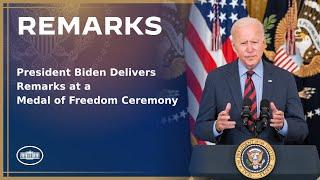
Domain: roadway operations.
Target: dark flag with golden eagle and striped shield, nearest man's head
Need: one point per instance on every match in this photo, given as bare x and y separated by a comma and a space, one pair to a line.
280, 23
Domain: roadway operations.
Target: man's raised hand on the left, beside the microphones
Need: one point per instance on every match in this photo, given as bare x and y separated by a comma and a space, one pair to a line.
223, 122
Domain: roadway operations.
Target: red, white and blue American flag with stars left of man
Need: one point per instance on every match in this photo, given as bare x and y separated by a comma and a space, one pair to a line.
200, 57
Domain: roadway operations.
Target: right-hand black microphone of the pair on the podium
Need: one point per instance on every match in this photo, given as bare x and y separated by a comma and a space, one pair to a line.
264, 115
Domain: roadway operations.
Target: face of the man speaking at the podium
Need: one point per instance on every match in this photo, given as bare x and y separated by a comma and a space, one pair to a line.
249, 45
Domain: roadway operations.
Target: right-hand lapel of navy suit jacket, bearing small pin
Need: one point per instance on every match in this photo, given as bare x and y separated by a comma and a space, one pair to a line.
267, 81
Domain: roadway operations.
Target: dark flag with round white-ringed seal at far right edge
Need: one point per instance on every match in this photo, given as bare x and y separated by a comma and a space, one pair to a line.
308, 75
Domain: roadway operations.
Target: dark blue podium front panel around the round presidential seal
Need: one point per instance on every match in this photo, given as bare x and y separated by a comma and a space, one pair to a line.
292, 162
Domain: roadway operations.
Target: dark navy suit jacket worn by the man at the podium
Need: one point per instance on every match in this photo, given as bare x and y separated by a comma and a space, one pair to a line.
223, 86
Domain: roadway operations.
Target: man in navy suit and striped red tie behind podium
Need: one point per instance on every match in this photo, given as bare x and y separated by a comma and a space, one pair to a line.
219, 119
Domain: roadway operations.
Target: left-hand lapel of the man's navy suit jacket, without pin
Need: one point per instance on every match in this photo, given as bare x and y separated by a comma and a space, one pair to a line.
233, 80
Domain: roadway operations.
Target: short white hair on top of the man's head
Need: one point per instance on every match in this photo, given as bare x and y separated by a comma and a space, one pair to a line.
244, 22
